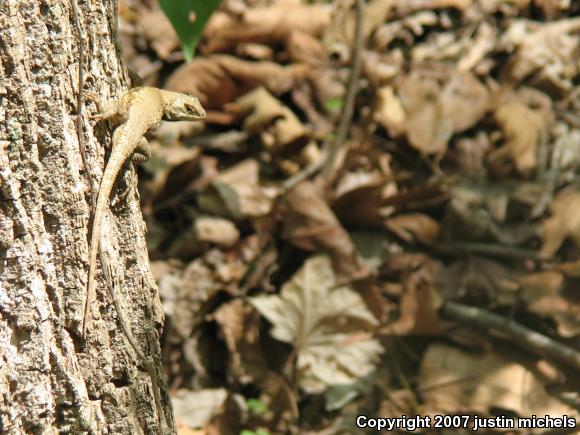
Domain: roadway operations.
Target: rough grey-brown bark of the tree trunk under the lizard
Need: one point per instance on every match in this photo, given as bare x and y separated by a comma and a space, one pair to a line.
51, 382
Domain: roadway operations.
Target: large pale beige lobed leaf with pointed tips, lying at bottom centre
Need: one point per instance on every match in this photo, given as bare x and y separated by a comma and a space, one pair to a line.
329, 327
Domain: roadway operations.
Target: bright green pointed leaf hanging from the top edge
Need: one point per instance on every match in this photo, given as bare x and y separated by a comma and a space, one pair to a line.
189, 18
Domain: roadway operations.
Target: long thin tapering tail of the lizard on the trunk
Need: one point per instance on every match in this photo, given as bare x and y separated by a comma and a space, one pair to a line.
107, 181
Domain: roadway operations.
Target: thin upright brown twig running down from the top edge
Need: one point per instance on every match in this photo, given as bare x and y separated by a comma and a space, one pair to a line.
352, 88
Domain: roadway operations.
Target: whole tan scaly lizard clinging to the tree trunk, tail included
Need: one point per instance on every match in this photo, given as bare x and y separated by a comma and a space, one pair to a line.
138, 113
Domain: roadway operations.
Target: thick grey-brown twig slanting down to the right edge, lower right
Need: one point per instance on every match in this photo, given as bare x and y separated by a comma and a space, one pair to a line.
532, 340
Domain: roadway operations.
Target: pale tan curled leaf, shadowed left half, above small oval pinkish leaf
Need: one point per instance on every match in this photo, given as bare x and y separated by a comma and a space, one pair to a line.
236, 193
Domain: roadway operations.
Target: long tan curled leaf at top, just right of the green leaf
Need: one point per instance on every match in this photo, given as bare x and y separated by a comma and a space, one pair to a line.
266, 25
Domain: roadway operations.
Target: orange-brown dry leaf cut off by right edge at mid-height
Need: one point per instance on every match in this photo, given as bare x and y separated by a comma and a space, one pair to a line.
564, 222
